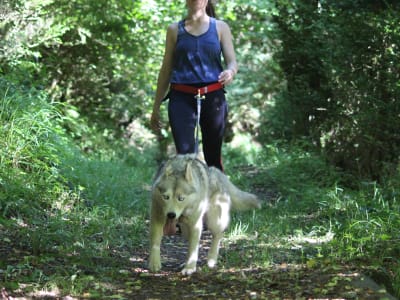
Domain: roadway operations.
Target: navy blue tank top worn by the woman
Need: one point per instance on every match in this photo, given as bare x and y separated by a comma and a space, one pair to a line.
197, 59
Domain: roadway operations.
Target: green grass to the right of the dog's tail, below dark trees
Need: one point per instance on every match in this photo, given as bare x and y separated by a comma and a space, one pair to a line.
315, 219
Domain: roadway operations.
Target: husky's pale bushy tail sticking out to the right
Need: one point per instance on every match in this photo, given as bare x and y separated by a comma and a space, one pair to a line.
241, 200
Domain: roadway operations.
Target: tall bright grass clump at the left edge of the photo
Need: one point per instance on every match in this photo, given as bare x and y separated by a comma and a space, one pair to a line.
31, 138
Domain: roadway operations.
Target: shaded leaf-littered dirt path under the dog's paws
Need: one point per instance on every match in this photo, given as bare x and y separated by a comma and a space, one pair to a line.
272, 282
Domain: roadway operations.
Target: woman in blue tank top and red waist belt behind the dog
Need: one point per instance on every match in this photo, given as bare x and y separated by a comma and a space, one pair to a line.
192, 60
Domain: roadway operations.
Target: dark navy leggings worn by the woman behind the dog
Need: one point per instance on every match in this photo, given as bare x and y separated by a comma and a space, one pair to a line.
182, 112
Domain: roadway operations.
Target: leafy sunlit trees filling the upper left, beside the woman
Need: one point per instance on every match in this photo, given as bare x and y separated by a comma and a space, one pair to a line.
100, 56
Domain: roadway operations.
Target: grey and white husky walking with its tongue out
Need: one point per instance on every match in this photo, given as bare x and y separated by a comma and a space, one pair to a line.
186, 191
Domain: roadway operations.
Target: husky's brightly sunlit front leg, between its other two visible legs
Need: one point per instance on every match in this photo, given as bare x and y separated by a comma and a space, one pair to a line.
193, 251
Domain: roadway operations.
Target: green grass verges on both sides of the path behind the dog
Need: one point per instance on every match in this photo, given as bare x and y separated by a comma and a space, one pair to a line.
69, 219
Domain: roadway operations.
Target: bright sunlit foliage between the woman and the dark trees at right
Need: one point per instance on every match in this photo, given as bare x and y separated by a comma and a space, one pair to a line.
259, 77
